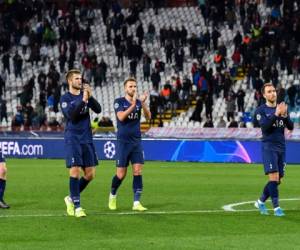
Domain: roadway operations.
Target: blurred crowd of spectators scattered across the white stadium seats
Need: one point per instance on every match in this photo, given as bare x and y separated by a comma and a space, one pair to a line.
265, 47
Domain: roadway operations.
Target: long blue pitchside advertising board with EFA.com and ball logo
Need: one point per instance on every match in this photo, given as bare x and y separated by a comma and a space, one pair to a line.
244, 151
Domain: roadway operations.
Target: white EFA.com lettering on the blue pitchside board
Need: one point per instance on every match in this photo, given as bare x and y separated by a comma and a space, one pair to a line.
13, 148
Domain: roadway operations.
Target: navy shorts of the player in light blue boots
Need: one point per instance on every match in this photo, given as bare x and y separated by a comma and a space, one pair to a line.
274, 161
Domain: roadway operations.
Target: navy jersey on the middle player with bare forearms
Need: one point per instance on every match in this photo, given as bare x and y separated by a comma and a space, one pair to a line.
129, 130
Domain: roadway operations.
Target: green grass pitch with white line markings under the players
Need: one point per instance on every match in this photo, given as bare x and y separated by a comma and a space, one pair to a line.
185, 209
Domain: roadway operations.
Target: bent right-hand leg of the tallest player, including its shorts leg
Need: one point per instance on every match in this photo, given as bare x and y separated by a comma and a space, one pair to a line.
90, 161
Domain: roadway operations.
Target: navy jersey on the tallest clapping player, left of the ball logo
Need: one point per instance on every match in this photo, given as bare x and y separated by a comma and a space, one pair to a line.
76, 113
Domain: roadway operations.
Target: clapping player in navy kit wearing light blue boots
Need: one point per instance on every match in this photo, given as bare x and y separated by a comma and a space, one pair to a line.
273, 118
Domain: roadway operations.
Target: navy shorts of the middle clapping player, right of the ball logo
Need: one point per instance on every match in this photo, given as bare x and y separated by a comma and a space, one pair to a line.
129, 152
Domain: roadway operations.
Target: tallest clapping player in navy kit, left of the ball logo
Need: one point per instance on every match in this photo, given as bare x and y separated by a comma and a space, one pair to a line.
80, 150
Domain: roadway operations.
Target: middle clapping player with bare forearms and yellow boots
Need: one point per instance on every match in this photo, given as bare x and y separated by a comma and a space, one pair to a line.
129, 148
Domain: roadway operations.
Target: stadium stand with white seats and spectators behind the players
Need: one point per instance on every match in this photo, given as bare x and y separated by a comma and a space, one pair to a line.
203, 65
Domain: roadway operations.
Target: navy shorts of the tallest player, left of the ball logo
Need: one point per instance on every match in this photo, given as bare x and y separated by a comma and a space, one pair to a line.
82, 155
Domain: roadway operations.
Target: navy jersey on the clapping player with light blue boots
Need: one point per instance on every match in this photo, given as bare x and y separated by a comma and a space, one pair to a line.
272, 127
